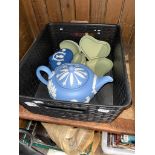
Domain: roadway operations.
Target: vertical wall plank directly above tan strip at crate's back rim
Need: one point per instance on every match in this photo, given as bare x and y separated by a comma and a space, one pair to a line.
82, 10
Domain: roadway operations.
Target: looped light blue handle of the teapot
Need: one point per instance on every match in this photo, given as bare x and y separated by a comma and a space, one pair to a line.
40, 77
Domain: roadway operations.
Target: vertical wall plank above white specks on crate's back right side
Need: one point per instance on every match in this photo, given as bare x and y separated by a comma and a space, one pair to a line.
98, 9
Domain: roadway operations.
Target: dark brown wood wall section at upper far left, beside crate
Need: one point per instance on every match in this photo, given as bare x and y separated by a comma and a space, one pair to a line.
25, 34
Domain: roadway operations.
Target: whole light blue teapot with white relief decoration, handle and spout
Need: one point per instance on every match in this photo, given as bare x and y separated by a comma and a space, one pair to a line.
72, 82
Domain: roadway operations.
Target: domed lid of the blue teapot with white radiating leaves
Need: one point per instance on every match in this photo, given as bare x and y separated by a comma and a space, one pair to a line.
71, 76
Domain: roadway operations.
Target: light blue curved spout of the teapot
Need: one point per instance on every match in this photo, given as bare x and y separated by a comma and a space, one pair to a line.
101, 81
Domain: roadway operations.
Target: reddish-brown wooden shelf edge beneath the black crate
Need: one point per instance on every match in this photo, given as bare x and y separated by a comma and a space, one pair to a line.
119, 125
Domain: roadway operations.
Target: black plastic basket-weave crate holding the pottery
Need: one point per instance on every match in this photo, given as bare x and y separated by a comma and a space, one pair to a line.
106, 104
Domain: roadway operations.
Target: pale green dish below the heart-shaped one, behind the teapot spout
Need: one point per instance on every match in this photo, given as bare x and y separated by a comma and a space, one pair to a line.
100, 66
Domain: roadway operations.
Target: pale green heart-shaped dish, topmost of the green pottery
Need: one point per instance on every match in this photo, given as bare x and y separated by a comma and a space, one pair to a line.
94, 48
